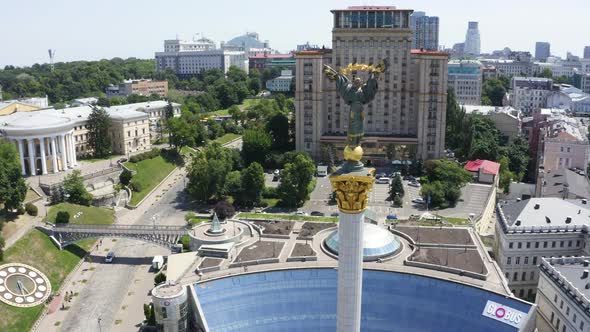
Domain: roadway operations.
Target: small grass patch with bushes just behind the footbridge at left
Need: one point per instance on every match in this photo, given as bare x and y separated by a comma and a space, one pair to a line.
90, 214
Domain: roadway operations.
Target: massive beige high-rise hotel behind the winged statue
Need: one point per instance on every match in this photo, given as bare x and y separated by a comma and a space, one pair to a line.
408, 112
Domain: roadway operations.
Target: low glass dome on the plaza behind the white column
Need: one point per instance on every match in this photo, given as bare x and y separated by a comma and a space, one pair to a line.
377, 242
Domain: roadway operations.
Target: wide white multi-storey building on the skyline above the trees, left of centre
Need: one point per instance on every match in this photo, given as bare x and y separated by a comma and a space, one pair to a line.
188, 58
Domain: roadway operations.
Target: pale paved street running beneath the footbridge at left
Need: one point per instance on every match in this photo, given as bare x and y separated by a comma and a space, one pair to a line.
108, 287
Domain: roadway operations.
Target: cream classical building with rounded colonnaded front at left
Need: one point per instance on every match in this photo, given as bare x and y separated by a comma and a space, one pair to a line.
50, 141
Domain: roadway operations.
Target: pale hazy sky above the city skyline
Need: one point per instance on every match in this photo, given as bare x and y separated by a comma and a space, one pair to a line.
92, 29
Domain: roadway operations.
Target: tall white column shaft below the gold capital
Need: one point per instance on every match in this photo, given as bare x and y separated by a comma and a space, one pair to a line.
350, 272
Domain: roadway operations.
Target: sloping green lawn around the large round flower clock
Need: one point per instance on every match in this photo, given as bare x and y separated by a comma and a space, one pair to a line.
37, 250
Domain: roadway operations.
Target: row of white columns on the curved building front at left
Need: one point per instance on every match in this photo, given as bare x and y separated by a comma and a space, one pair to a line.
39, 153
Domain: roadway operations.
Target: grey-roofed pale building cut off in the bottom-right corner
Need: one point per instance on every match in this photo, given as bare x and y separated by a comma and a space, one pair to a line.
562, 297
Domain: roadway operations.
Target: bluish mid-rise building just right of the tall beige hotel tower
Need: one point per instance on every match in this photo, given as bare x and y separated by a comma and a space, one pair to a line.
465, 78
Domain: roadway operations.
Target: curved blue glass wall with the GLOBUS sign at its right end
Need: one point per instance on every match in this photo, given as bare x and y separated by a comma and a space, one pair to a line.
305, 300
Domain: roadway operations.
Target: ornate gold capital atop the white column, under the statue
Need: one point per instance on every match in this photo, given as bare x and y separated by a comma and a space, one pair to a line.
352, 192
